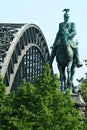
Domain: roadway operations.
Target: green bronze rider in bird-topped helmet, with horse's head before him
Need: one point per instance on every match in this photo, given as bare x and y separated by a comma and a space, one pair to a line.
66, 33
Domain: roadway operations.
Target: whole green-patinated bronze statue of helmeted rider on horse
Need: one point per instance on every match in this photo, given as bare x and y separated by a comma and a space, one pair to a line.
65, 49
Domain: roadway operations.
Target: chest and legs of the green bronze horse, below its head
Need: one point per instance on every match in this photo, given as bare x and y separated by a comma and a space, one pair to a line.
65, 60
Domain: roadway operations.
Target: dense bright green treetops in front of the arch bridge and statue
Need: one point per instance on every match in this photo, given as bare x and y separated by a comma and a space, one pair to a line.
38, 106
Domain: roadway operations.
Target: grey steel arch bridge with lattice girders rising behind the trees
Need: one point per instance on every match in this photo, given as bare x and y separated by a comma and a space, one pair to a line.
23, 50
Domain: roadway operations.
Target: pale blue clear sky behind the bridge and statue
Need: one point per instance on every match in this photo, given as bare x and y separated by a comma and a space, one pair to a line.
47, 14
